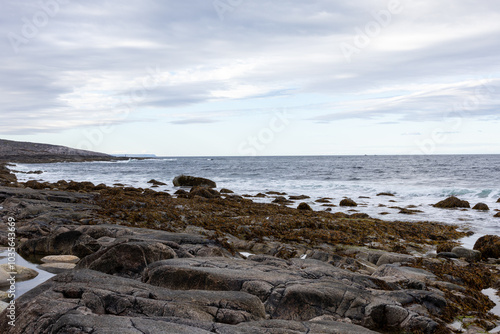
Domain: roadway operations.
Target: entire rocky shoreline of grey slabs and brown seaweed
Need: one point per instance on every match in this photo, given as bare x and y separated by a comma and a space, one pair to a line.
204, 261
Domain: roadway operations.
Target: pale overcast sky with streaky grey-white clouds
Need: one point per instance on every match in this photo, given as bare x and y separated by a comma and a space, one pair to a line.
260, 77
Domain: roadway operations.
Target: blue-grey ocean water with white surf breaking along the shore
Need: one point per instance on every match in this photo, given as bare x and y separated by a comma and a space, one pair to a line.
414, 180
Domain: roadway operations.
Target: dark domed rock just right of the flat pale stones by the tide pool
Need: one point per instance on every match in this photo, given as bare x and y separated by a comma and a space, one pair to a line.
127, 259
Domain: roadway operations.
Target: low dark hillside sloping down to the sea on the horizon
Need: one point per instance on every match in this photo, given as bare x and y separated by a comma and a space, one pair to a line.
14, 151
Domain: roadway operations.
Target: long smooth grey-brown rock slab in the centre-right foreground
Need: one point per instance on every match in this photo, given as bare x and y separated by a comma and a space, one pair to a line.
297, 289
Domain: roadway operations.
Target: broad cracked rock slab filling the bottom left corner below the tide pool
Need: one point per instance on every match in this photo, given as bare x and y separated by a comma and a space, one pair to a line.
89, 301
